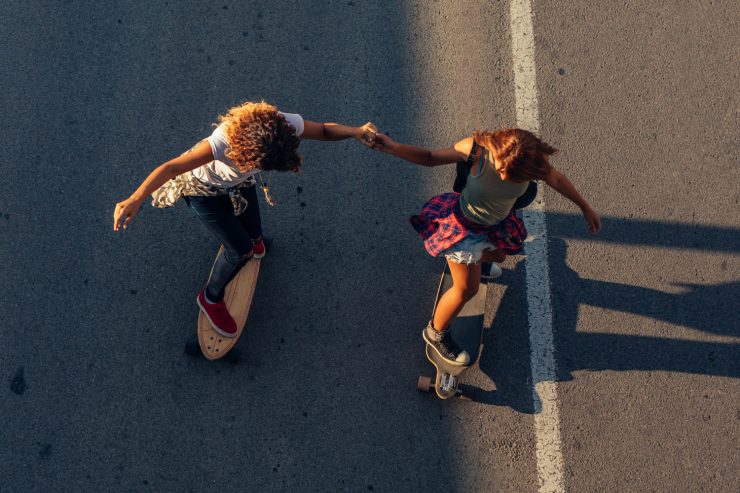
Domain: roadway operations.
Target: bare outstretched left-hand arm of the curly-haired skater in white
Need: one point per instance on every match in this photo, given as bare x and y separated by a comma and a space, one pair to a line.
196, 157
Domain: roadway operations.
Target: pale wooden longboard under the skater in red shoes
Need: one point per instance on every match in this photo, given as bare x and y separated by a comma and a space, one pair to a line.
238, 298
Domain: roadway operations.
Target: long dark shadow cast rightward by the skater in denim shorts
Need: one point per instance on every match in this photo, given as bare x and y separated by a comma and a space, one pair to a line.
703, 307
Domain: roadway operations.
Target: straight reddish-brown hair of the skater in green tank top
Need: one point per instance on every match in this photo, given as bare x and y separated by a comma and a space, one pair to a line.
521, 154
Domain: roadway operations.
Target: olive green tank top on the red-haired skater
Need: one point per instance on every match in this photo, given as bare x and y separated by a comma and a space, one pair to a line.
486, 198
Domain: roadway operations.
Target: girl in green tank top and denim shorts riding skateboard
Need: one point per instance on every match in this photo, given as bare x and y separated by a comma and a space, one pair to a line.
479, 224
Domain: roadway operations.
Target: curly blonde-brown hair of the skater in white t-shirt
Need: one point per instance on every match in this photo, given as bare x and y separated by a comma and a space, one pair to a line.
260, 138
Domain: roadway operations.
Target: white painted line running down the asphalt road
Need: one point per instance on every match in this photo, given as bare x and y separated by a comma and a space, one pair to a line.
542, 349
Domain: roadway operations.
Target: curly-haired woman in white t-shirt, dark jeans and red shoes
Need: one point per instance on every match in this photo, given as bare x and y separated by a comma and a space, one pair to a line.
216, 179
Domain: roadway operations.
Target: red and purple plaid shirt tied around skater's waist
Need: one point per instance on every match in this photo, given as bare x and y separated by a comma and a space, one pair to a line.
441, 224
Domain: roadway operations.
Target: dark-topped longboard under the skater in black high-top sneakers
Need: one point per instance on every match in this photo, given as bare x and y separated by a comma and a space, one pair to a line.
467, 332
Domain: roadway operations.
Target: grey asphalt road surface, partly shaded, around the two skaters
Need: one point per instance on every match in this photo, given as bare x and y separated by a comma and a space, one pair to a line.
642, 99
